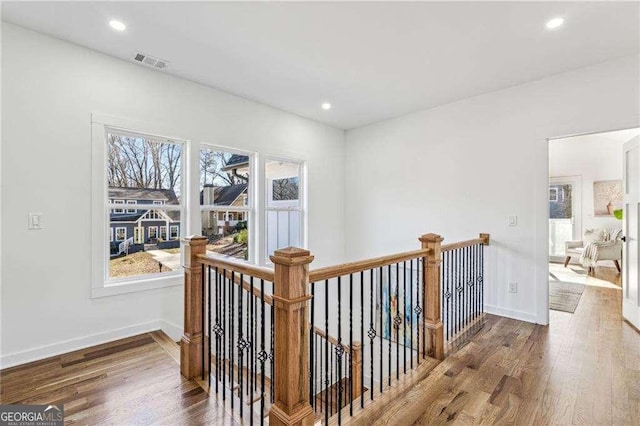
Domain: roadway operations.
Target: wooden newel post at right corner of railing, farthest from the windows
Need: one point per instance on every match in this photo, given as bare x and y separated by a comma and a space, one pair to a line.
433, 292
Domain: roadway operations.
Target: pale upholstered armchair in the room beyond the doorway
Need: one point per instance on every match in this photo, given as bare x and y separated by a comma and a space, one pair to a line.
597, 244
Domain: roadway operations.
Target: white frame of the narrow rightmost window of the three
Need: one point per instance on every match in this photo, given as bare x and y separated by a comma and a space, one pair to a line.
268, 195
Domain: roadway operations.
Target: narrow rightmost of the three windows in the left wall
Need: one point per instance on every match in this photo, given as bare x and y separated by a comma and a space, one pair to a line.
284, 211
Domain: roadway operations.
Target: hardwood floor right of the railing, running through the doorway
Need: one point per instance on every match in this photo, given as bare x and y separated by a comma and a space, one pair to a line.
584, 369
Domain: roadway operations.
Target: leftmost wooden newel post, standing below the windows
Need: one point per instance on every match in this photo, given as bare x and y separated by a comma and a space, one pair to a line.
192, 339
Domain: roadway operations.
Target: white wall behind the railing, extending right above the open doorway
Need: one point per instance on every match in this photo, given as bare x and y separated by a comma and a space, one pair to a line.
464, 168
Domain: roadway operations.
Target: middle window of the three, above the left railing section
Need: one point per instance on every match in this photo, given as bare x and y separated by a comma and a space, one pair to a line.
225, 186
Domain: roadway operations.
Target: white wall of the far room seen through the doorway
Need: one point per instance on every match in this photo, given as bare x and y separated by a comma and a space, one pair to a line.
594, 158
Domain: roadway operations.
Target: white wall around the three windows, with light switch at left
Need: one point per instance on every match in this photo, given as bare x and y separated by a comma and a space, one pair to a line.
50, 89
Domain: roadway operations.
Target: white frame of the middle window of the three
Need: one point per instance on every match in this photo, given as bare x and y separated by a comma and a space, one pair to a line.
250, 209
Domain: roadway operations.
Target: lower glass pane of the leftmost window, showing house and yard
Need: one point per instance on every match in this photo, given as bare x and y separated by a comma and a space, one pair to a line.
141, 244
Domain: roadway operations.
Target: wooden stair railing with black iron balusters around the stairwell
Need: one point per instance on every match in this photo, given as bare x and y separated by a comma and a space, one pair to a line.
409, 304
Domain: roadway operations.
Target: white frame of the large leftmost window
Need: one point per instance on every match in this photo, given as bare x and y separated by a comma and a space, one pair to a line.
102, 124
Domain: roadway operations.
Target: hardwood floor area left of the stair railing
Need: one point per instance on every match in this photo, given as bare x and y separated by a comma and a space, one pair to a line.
131, 381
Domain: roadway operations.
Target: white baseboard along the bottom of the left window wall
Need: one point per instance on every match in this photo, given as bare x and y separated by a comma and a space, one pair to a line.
46, 351
